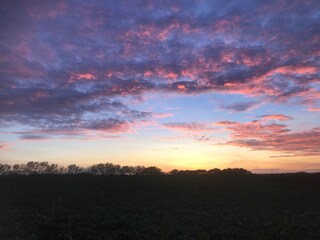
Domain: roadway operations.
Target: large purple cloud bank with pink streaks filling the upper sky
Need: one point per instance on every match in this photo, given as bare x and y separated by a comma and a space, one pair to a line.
61, 61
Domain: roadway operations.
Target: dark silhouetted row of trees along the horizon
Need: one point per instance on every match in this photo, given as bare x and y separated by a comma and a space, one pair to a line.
32, 168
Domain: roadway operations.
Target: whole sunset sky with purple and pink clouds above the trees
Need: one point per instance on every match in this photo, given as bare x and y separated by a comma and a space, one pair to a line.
176, 84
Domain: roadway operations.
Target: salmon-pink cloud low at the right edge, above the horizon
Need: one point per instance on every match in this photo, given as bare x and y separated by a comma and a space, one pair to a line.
258, 135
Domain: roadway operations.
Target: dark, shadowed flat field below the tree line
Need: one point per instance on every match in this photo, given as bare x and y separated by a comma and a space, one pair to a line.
160, 207
